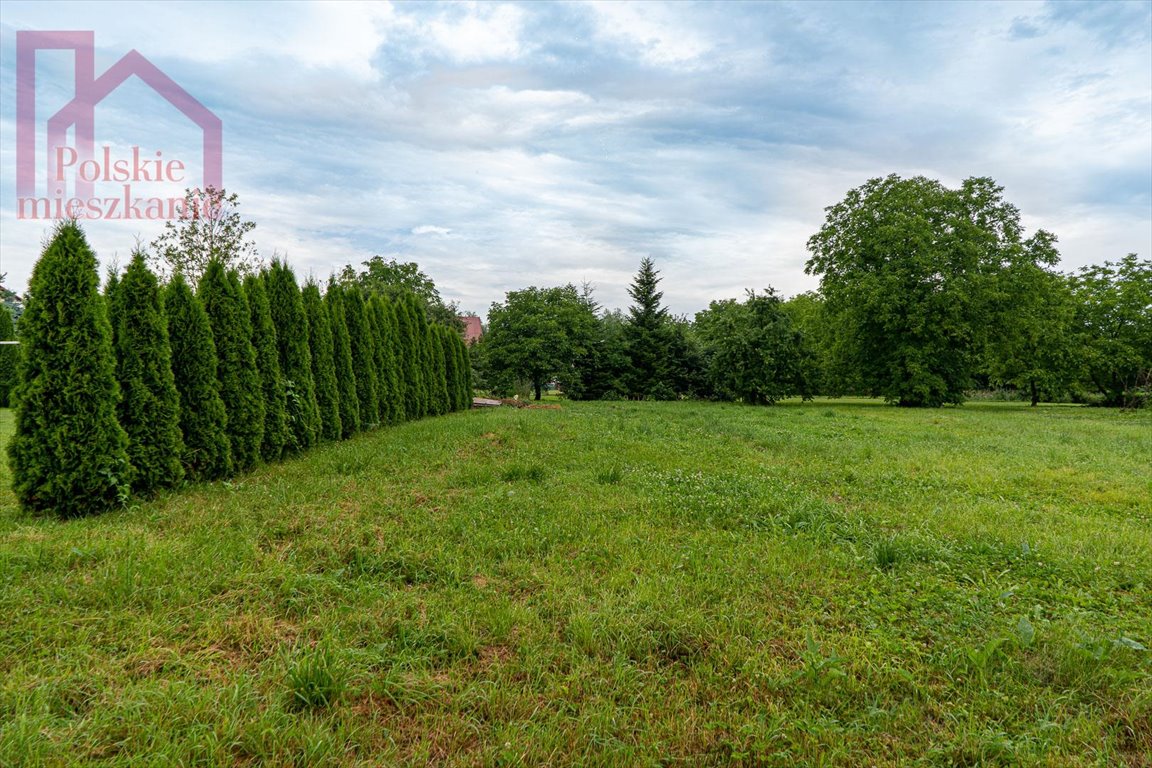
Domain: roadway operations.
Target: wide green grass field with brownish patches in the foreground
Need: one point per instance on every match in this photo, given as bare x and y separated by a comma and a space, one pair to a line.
835, 583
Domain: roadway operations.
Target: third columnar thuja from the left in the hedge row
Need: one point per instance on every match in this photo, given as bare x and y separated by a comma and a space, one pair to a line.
203, 420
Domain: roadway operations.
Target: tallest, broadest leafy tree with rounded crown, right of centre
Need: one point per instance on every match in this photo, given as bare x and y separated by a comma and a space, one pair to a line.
910, 272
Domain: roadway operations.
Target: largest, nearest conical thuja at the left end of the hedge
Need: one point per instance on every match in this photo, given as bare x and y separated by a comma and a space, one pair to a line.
70, 454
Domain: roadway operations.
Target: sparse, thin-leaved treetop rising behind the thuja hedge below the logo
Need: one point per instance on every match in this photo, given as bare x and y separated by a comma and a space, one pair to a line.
210, 229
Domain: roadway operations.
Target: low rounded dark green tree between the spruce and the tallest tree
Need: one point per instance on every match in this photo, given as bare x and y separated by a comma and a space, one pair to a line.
754, 353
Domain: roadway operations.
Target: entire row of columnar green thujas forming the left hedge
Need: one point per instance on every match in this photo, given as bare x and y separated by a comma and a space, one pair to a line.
150, 385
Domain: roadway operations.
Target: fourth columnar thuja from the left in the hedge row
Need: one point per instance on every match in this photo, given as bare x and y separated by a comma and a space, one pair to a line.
240, 379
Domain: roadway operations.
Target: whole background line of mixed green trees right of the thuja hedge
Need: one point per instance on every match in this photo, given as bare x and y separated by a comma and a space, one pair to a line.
927, 293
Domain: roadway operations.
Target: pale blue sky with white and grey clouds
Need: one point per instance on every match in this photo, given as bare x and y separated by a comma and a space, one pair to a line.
502, 146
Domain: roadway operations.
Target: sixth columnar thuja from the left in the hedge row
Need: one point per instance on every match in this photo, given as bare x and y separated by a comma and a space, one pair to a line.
295, 359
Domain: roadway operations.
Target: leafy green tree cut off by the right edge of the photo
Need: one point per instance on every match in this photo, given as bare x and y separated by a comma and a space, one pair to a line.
1113, 328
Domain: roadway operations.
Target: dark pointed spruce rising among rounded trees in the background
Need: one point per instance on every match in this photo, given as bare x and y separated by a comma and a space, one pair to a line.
649, 339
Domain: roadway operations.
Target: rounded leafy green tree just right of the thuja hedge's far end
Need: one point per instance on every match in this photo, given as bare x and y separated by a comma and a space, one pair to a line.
539, 334
